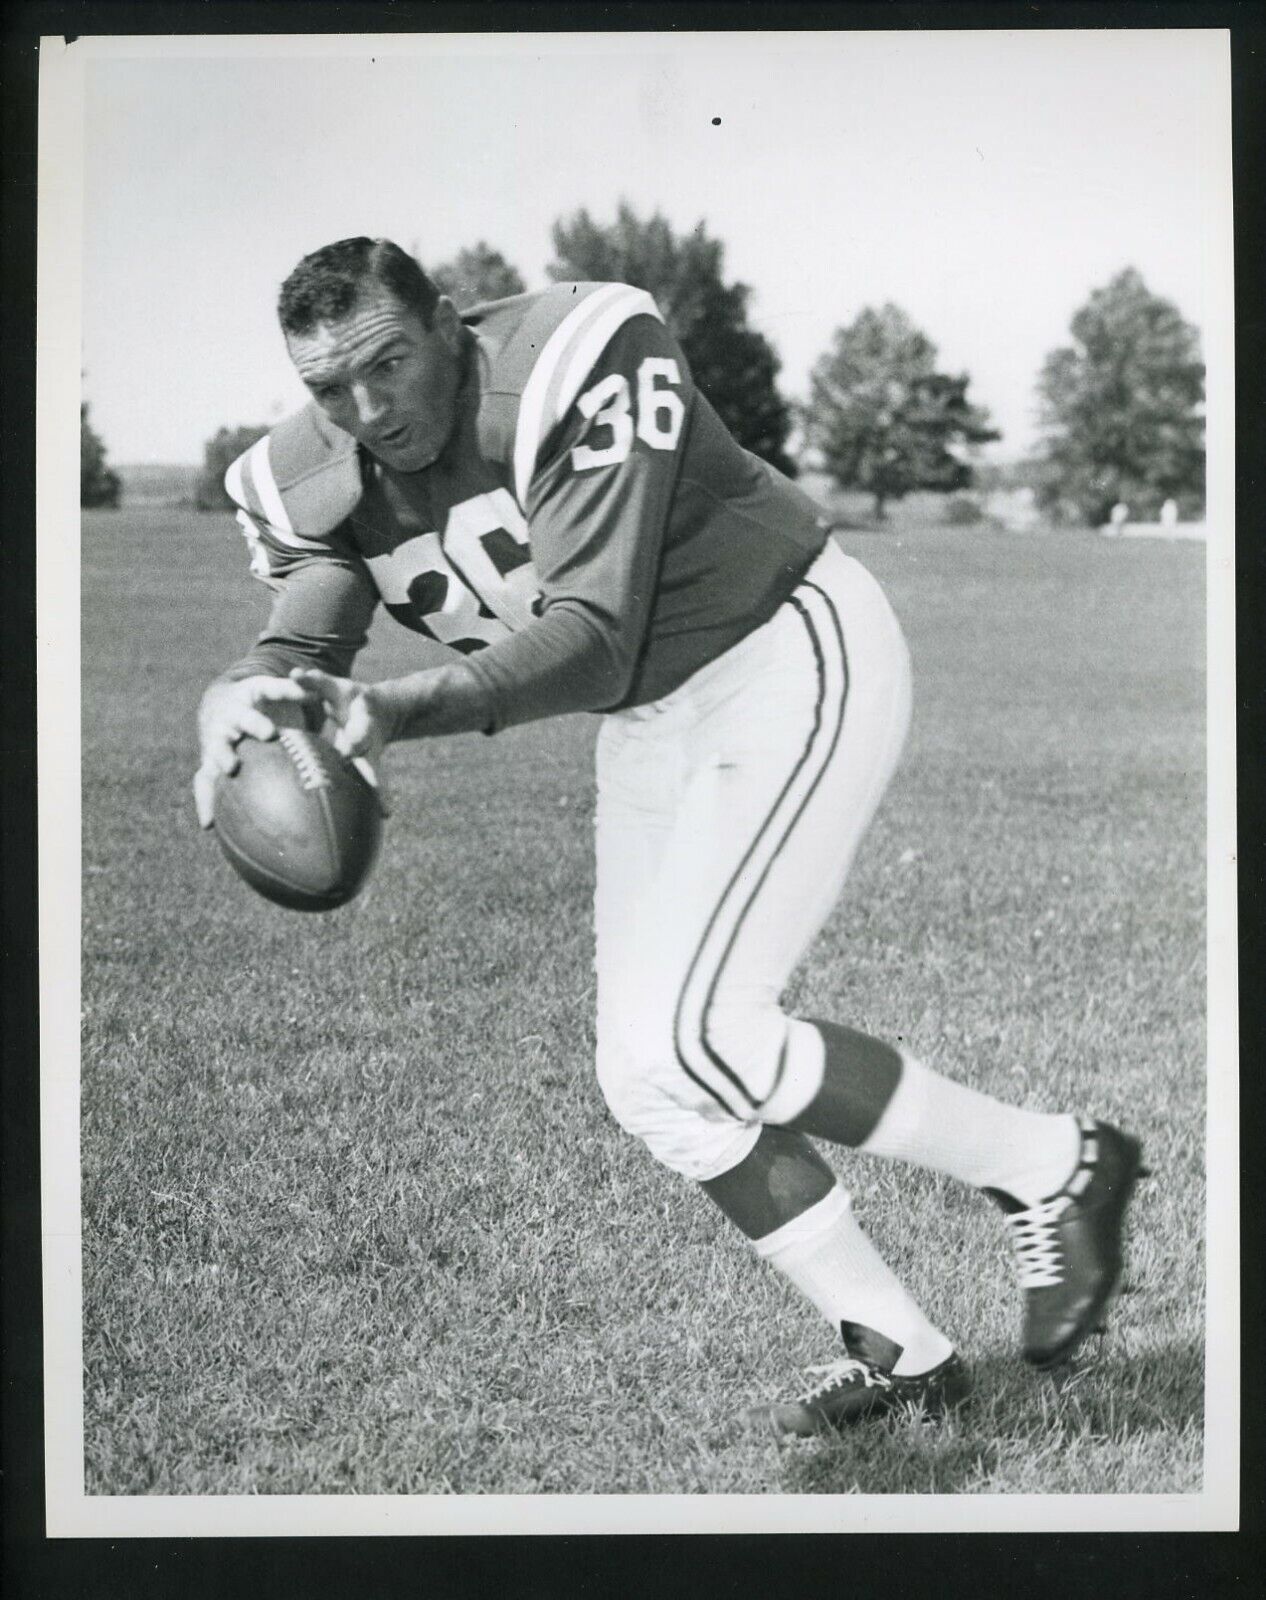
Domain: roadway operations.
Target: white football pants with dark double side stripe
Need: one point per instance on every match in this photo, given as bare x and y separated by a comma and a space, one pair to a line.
727, 820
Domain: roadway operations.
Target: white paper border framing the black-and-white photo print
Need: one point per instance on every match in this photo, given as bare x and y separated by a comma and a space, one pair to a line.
74, 1514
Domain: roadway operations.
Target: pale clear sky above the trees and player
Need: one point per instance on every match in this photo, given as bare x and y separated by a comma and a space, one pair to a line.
984, 182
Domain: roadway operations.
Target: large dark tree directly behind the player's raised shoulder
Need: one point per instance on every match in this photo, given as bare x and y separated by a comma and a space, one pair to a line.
734, 366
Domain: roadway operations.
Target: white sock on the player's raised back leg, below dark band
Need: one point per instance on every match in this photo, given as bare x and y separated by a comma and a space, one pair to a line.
952, 1129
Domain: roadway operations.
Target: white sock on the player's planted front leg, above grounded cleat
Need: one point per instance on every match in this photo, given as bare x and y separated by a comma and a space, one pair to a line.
835, 1265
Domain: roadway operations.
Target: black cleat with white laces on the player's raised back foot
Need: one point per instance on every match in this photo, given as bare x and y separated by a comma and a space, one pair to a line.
1070, 1249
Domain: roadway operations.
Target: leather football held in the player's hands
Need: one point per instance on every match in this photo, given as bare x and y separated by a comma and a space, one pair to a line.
298, 822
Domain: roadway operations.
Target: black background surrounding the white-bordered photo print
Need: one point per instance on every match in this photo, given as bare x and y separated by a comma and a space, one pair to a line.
1067, 1566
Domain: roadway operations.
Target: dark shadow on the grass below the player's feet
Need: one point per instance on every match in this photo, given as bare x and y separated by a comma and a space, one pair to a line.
1108, 1401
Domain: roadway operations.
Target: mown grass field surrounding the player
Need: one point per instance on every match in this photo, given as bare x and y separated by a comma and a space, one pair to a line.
356, 1217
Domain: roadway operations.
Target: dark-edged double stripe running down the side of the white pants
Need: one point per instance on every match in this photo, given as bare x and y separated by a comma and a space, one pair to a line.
695, 1054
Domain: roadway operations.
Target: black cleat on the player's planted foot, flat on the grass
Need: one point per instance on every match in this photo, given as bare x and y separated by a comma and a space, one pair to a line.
862, 1386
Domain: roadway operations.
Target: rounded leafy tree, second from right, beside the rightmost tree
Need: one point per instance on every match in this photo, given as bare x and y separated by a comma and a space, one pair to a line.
884, 418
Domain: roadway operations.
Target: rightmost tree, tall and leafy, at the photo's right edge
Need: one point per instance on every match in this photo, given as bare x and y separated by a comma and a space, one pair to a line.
1123, 407
